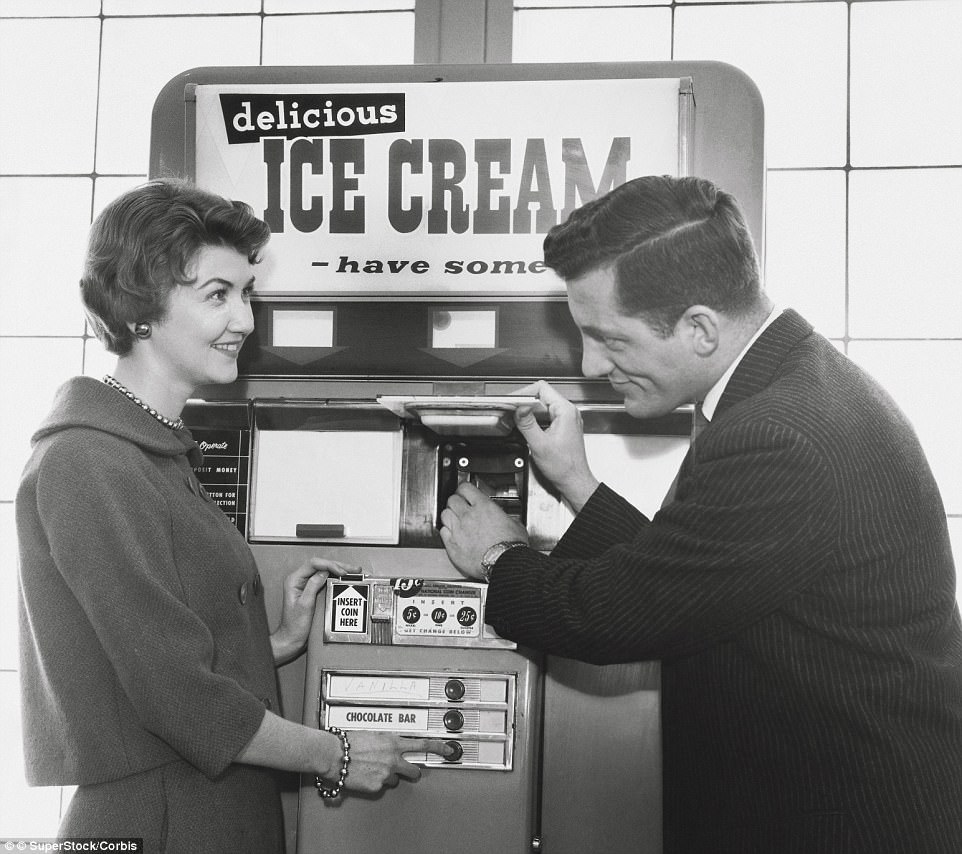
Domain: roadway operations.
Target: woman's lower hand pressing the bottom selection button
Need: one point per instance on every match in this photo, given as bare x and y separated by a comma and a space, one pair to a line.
377, 761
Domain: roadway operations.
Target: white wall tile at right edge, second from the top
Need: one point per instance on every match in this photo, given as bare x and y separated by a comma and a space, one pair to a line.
905, 253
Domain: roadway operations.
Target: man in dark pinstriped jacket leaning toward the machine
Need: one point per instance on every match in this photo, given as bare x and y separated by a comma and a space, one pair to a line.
798, 585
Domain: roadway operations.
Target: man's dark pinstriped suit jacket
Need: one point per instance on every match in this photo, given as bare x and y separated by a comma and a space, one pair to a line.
800, 593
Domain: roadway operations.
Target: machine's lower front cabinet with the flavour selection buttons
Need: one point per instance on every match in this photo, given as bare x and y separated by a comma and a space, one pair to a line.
484, 699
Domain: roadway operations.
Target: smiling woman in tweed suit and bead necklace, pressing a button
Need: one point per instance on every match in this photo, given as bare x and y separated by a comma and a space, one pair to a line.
147, 664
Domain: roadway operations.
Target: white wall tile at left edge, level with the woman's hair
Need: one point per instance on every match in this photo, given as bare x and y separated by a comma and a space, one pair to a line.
43, 237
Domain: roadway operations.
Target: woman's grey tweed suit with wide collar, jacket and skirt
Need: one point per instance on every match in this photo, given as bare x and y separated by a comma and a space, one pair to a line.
145, 654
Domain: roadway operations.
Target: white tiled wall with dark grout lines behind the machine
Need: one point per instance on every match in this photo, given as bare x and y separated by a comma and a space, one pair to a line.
864, 150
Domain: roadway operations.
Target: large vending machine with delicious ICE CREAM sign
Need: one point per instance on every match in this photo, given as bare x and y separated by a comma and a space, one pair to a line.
400, 305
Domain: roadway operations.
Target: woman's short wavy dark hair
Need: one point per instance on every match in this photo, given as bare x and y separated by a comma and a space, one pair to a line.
143, 245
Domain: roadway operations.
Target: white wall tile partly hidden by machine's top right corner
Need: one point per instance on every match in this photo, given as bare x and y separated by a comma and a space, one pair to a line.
796, 54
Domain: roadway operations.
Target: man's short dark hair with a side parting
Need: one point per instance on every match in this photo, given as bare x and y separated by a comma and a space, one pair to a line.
671, 242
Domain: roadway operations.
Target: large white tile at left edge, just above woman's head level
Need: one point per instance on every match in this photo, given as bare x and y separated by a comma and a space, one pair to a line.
48, 95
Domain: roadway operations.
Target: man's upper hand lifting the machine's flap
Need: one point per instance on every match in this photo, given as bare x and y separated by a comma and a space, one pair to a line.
559, 449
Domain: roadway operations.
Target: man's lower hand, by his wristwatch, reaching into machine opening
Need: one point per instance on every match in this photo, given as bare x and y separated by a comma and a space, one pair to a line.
471, 524
